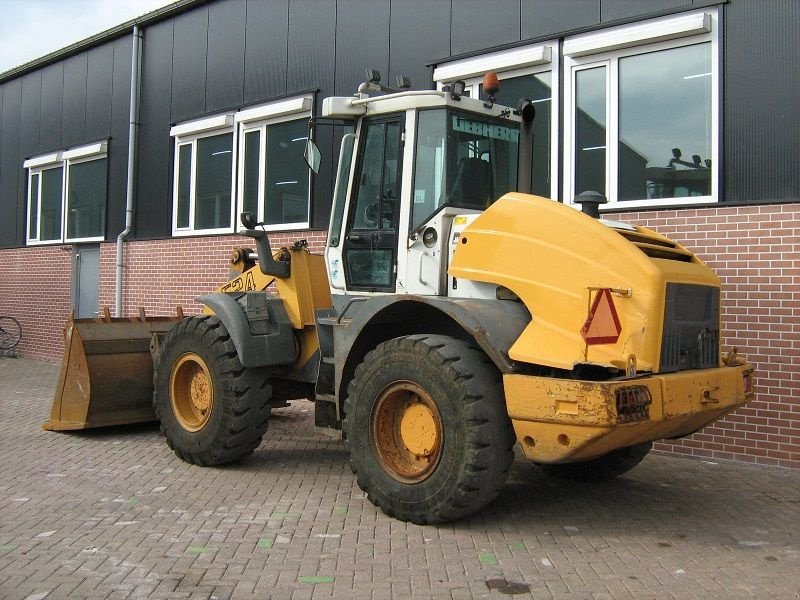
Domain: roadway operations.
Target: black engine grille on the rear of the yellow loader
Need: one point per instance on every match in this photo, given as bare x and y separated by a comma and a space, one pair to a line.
691, 328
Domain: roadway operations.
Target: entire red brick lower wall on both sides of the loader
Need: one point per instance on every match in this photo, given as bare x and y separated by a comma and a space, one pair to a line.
755, 250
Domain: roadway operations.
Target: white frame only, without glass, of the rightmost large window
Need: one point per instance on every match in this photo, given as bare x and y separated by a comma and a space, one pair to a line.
605, 48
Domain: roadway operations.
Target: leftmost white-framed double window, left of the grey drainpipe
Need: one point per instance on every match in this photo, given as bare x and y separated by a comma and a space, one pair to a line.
67, 195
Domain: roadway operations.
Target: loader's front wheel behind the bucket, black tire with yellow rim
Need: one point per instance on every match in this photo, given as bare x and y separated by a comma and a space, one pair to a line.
212, 410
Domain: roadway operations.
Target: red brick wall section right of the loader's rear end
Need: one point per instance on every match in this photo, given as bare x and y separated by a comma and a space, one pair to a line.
756, 252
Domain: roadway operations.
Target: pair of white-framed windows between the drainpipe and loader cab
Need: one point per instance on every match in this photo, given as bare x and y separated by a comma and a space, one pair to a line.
250, 161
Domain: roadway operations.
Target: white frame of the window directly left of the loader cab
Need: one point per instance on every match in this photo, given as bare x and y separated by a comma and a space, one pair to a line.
258, 119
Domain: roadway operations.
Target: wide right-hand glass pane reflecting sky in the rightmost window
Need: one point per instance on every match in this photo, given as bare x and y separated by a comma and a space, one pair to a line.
665, 124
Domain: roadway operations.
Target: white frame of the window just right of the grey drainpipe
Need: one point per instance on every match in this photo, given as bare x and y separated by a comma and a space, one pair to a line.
188, 134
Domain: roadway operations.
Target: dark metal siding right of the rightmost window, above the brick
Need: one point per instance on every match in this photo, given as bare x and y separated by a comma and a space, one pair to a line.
761, 90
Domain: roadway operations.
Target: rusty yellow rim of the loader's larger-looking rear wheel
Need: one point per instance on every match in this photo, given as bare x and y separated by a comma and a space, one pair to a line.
406, 432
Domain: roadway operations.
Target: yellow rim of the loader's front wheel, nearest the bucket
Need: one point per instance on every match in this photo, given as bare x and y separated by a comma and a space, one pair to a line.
191, 391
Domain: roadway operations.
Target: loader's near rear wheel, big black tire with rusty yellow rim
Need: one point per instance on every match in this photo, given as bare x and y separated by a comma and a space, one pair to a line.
427, 429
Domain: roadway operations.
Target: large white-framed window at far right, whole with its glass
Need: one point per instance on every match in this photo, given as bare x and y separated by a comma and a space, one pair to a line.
643, 113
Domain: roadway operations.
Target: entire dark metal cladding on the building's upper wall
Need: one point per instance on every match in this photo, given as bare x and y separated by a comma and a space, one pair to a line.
230, 53
